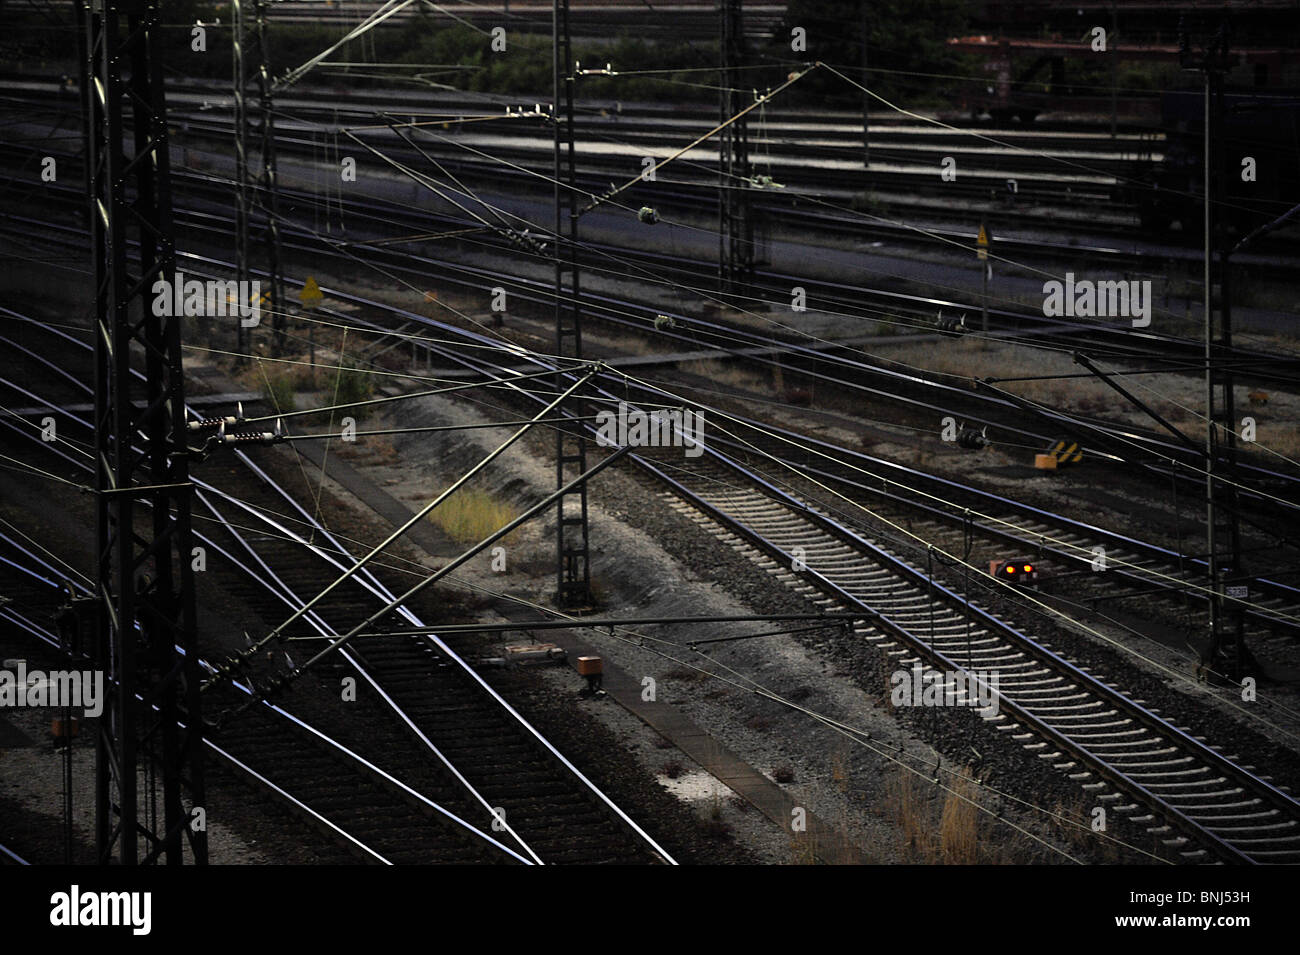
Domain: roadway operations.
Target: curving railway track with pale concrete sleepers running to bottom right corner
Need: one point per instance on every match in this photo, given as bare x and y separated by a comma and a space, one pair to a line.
1126, 757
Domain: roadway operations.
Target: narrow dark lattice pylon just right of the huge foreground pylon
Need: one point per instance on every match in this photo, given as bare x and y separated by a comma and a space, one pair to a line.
257, 189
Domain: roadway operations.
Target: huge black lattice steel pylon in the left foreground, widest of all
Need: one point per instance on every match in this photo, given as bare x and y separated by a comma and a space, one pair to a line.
153, 722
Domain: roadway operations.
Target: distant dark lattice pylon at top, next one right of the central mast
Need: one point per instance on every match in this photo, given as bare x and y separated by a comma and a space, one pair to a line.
735, 222
